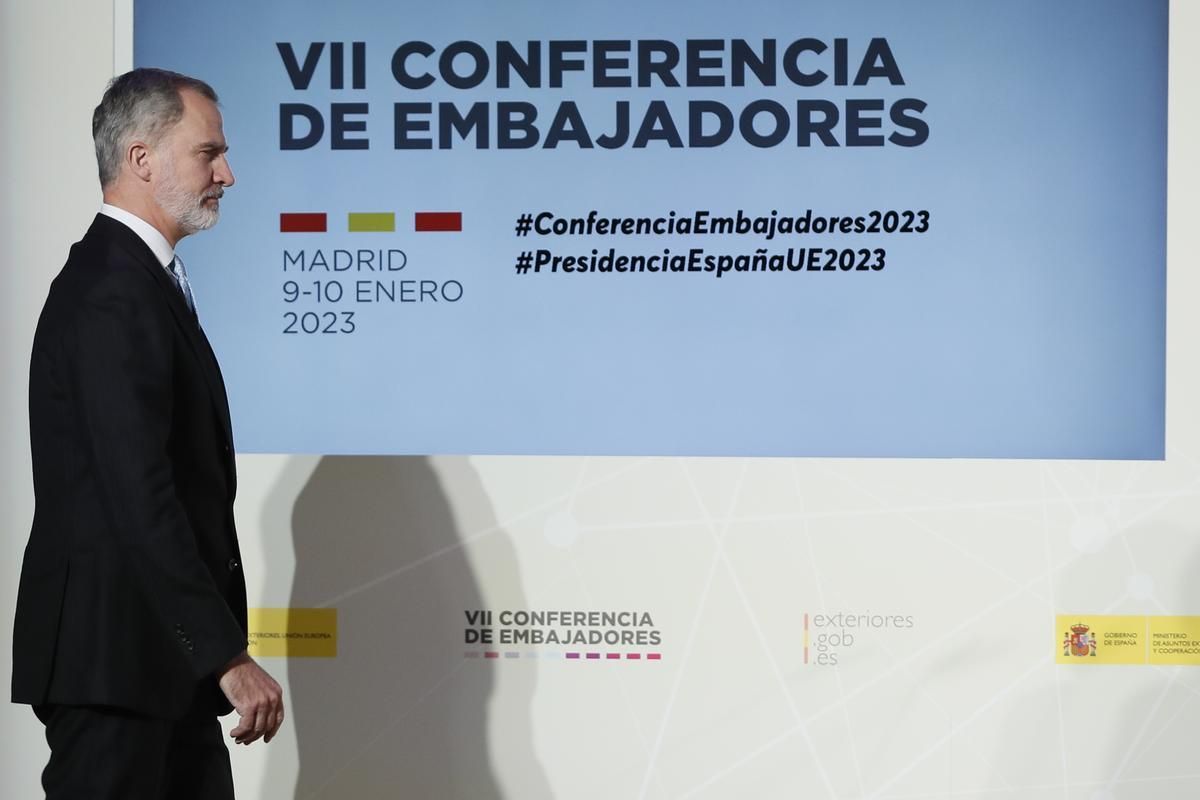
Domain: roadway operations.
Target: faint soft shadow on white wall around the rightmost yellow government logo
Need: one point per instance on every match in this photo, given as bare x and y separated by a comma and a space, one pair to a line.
1123, 732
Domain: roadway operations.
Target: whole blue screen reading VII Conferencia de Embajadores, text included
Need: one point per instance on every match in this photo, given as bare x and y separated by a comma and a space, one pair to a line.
862, 230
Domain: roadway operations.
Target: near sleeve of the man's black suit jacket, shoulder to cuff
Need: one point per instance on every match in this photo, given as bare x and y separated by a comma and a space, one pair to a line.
124, 376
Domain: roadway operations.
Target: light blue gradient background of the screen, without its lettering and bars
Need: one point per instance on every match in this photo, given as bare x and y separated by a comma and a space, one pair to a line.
1029, 323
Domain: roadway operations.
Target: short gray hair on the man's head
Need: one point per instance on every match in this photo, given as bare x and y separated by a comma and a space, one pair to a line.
140, 105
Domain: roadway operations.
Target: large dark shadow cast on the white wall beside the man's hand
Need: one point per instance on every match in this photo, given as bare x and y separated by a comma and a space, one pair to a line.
400, 712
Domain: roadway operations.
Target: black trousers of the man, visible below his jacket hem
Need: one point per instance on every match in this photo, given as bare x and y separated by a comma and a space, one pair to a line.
101, 754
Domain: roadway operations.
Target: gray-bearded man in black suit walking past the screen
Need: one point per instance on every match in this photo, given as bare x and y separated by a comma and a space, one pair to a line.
130, 636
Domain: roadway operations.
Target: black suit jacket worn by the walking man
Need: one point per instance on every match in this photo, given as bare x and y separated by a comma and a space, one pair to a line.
131, 592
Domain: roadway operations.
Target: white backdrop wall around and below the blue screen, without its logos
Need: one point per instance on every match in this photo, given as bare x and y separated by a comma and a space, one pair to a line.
728, 557
